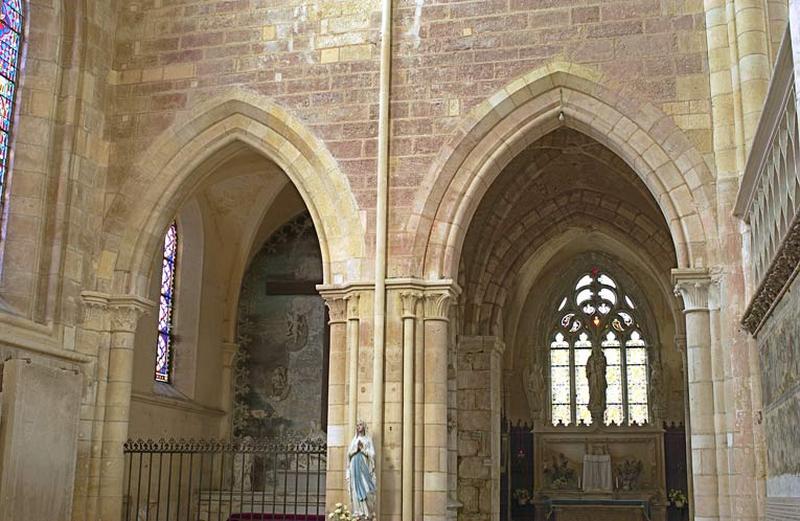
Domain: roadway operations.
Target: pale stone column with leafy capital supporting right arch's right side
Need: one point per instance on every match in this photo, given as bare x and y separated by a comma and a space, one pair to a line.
693, 286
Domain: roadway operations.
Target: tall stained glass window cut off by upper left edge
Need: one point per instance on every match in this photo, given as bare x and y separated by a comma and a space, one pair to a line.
10, 47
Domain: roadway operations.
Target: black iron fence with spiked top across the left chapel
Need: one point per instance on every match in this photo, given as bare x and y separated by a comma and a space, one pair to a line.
213, 480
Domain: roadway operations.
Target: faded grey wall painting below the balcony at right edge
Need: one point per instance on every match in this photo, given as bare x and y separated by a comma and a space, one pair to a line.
779, 346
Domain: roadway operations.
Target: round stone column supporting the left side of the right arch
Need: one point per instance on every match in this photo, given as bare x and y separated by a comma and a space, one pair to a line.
437, 305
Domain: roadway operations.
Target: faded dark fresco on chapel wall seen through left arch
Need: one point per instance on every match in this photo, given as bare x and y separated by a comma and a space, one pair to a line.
279, 376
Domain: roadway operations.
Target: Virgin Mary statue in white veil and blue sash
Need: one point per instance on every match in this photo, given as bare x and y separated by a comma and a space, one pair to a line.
360, 474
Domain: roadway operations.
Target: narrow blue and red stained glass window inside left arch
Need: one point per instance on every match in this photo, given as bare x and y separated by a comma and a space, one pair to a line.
166, 306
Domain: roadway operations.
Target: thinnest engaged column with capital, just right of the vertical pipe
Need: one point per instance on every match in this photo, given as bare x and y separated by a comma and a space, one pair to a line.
409, 301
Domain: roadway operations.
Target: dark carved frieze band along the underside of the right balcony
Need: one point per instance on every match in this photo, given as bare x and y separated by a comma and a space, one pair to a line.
780, 274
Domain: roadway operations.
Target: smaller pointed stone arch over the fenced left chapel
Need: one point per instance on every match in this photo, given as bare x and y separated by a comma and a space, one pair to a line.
172, 166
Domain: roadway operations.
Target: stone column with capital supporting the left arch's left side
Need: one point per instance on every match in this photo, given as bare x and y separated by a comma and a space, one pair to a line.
124, 314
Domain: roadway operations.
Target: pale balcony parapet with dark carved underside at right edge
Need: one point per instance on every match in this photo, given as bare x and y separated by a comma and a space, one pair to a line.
769, 196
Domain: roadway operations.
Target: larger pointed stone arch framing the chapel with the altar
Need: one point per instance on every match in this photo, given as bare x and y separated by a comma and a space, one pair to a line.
555, 96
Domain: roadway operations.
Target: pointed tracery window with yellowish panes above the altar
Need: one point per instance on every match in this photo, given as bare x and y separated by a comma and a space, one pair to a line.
598, 315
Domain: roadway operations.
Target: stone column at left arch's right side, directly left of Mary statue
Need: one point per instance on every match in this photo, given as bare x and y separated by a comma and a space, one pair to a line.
337, 372
